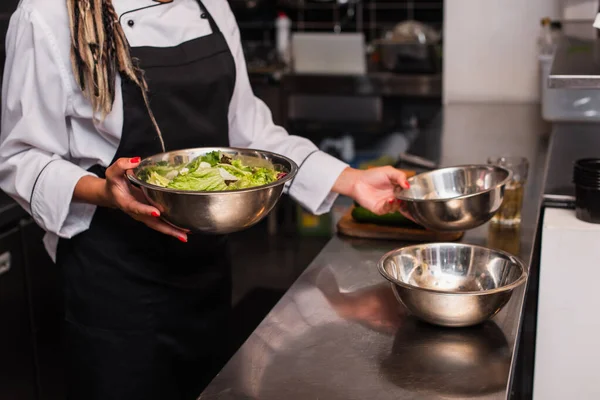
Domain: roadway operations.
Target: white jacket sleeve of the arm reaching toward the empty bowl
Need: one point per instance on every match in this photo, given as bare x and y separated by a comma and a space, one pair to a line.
251, 125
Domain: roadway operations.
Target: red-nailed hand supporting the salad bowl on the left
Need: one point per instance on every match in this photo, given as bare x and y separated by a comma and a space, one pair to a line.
116, 192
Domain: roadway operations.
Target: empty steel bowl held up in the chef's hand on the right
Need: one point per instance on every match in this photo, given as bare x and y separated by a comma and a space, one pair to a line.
456, 198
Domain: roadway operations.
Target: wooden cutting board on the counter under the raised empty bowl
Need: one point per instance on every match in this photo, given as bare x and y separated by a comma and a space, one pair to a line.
349, 227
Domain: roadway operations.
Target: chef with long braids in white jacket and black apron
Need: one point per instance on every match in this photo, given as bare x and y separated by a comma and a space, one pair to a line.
90, 88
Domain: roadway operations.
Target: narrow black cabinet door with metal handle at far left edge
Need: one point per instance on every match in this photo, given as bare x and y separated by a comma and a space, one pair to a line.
17, 371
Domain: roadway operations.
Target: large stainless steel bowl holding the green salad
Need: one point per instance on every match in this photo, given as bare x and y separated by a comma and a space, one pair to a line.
216, 212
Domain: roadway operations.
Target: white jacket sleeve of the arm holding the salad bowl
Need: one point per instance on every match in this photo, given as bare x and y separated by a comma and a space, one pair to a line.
34, 141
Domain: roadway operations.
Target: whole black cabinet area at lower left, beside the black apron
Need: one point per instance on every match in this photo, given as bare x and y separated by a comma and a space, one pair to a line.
31, 356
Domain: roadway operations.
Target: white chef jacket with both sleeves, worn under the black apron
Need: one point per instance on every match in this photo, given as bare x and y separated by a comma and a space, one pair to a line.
48, 139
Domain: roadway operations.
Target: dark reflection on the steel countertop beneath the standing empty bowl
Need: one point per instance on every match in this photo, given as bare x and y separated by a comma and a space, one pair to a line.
421, 356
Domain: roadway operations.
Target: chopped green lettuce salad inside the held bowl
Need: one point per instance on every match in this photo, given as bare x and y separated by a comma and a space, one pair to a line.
214, 171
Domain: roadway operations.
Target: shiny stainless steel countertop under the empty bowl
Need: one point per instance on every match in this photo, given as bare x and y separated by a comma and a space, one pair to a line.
338, 333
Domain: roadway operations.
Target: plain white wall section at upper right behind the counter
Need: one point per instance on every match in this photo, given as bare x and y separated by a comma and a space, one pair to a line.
490, 49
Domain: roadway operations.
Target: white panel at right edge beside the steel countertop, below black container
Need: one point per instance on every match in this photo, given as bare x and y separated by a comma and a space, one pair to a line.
566, 349
